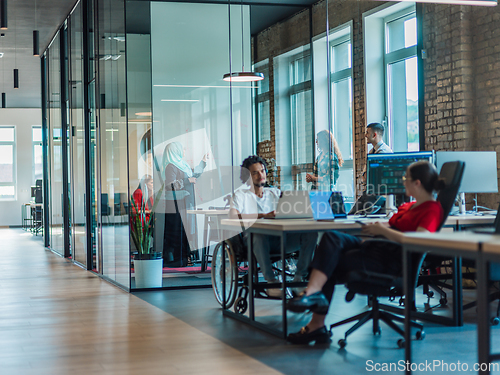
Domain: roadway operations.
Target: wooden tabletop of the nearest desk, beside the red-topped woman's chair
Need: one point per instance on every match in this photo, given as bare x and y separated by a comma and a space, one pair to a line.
453, 240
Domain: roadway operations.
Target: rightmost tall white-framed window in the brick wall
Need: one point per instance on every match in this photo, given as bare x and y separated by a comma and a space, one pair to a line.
401, 80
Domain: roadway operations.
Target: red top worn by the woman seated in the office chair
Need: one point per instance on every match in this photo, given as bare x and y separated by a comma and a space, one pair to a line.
427, 215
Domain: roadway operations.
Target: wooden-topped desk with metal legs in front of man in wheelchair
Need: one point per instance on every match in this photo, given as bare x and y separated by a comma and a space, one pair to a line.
280, 228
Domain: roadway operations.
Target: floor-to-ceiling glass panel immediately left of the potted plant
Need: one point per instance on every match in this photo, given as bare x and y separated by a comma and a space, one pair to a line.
112, 142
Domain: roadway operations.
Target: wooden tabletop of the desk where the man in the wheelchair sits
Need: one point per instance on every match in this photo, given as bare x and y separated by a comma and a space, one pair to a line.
294, 224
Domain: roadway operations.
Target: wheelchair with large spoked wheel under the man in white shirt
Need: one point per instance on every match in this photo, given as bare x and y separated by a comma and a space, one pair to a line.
230, 264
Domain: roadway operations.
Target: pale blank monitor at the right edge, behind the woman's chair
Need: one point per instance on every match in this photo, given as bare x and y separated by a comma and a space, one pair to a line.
480, 174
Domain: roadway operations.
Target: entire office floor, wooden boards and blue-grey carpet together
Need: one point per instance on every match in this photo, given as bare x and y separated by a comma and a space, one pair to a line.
56, 318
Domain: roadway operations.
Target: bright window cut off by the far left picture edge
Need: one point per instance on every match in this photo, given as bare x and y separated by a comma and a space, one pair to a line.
7, 163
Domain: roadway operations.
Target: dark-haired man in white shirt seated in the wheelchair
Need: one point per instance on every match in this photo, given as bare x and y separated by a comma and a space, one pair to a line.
259, 201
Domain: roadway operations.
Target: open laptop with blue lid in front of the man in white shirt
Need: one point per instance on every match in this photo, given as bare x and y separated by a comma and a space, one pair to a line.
327, 205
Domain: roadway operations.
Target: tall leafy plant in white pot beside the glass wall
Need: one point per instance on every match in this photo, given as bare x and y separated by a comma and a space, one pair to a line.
148, 264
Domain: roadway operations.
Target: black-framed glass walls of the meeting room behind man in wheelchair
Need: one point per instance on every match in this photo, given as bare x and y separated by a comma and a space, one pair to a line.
157, 136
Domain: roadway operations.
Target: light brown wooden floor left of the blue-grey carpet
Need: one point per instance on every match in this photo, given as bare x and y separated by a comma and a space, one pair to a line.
56, 318
